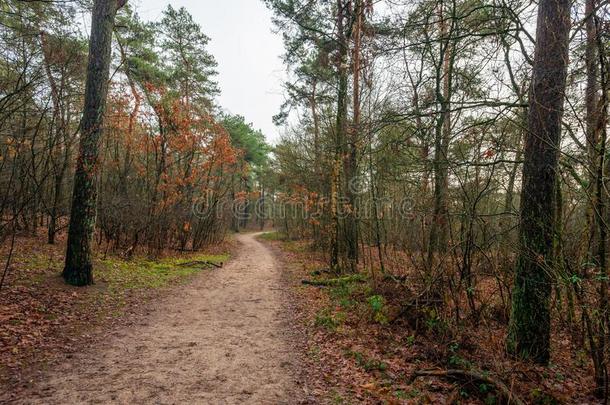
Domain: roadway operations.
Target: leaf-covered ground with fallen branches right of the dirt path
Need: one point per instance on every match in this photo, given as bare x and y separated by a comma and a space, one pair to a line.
360, 349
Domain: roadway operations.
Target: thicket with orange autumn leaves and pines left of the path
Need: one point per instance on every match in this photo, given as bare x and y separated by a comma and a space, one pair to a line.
169, 159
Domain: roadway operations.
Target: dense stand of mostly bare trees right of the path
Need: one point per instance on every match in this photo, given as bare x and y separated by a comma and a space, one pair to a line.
407, 126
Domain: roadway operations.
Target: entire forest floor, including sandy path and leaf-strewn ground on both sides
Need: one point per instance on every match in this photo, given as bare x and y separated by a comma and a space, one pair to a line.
249, 332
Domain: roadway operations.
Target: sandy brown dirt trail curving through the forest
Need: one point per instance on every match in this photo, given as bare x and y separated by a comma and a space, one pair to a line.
219, 340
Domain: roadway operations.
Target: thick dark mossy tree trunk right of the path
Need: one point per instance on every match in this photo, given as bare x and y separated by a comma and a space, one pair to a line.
530, 326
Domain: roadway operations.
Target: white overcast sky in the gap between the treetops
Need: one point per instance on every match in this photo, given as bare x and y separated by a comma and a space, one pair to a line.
250, 72
